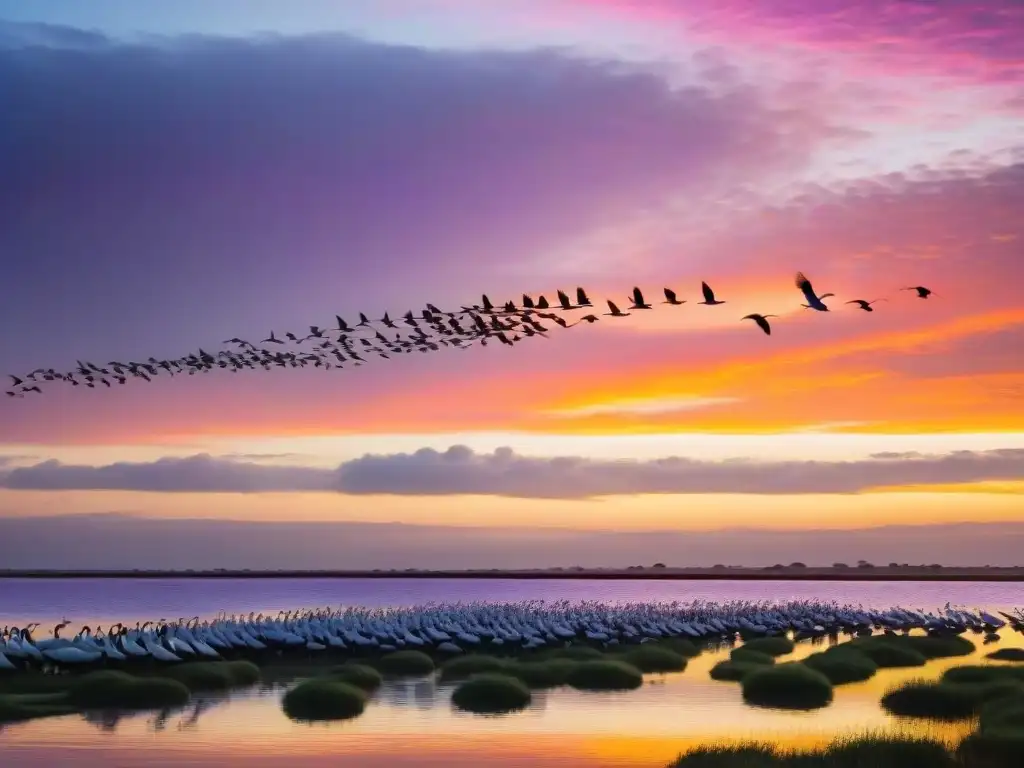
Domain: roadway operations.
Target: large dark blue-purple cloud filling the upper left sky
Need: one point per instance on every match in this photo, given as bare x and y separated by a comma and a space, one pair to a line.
207, 188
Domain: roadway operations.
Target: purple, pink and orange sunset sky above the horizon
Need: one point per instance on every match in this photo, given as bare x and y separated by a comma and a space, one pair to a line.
174, 175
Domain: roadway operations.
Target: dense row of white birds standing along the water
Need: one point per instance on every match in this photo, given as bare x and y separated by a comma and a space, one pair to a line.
461, 627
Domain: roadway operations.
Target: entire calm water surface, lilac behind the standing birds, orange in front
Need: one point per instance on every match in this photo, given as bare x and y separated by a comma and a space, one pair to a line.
412, 723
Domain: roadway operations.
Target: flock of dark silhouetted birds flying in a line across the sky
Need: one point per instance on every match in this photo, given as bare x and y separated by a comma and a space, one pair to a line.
431, 331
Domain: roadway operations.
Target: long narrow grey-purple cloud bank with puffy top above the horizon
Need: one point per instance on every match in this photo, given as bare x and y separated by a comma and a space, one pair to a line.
460, 472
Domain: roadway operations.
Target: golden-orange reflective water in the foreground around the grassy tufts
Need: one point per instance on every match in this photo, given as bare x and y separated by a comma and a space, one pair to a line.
412, 722
